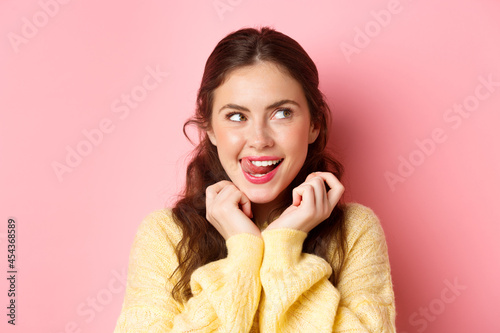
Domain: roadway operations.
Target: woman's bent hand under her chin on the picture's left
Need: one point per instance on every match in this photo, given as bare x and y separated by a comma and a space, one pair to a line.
229, 210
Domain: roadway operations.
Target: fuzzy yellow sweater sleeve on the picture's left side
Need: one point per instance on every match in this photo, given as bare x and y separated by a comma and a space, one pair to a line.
226, 292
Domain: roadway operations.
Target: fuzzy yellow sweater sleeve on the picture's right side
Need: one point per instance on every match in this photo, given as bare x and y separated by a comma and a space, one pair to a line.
298, 297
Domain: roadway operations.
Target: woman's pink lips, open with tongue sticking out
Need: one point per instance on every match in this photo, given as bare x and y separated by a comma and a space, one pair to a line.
260, 169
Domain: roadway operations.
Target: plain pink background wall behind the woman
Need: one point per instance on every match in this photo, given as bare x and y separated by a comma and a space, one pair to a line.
64, 69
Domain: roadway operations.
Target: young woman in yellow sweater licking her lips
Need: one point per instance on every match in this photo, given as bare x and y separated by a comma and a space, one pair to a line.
259, 241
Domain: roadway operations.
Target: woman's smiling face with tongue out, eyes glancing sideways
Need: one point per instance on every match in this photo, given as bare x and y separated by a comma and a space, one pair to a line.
261, 126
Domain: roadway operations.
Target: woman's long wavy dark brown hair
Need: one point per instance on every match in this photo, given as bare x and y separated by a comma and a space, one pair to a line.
201, 243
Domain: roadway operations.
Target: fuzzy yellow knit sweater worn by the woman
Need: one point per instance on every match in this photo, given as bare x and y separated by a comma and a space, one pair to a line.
264, 285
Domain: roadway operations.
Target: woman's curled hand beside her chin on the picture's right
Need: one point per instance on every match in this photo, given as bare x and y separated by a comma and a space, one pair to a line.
311, 203
